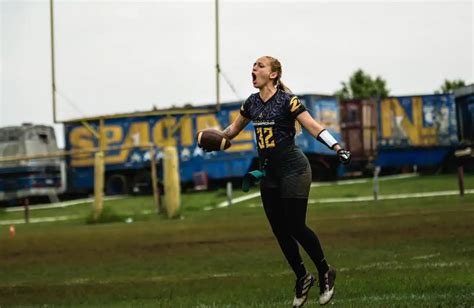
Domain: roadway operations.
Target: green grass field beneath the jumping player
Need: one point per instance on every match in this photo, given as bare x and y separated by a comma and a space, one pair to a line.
390, 253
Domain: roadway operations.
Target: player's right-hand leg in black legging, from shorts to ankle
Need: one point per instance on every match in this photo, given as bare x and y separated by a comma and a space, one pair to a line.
295, 213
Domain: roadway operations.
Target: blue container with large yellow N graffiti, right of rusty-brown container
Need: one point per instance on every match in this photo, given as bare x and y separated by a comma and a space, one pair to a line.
416, 130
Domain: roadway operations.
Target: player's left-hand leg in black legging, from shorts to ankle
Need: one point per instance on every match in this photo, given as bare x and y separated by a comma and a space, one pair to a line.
274, 209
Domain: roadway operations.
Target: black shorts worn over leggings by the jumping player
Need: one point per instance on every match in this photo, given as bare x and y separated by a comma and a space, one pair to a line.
289, 172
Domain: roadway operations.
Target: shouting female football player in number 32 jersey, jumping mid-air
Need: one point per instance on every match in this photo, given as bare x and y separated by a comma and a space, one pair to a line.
276, 115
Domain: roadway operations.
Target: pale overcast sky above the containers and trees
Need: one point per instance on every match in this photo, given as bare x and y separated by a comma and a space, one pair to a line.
123, 56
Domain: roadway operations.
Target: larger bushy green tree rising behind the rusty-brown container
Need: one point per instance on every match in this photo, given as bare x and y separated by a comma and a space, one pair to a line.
361, 85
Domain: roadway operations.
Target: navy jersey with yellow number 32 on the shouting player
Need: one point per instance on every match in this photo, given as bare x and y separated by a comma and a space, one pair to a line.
274, 120
